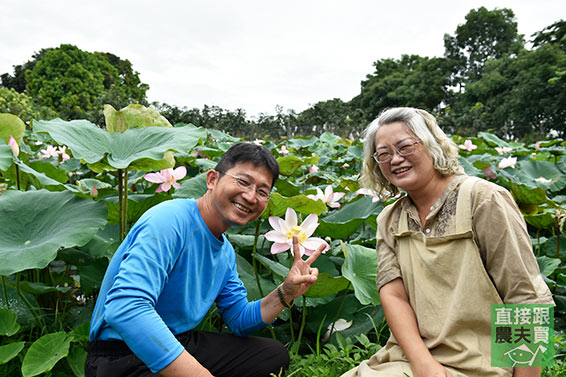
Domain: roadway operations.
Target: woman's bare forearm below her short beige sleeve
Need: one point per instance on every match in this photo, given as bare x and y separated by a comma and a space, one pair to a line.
403, 324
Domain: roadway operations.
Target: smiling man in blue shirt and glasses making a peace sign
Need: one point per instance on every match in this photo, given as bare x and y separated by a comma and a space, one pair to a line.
174, 264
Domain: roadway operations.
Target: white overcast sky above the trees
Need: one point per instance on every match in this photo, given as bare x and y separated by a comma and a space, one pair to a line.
252, 55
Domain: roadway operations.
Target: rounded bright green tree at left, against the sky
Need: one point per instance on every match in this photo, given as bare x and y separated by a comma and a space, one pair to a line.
77, 83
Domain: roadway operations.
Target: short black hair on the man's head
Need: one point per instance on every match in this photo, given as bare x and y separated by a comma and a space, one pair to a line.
248, 152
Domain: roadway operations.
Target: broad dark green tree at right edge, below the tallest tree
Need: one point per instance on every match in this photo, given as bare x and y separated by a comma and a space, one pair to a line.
518, 97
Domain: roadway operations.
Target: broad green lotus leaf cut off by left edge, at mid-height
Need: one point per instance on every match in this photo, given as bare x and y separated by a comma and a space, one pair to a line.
35, 224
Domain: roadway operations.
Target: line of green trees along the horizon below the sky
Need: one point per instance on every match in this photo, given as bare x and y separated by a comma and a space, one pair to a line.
489, 79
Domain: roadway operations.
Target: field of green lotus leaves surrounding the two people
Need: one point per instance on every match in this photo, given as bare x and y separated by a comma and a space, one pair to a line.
70, 191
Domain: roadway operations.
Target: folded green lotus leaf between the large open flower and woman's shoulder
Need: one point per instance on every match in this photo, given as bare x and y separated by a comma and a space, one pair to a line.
345, 221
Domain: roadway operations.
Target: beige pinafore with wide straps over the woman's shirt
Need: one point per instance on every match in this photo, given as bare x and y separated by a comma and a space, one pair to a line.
451, 294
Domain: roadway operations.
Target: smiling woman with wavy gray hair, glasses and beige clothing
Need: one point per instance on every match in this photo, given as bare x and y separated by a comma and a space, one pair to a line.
447, 250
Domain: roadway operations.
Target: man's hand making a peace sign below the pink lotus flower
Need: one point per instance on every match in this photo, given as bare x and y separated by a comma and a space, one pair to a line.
301, 276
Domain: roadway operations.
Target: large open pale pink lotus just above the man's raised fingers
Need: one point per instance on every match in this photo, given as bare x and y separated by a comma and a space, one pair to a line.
284, 230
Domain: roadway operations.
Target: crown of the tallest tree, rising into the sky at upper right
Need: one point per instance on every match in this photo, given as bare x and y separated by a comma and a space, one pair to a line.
485, 35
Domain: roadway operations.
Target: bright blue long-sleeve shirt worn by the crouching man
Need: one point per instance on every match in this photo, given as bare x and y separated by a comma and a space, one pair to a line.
162, 281
